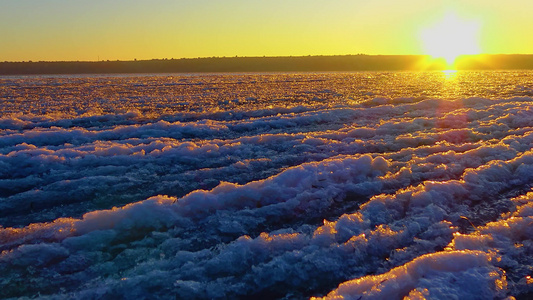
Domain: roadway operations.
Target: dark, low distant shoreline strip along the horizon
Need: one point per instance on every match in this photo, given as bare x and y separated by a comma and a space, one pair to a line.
271, 64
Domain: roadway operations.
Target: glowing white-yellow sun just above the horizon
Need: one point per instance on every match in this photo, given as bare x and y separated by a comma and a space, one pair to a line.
451, 37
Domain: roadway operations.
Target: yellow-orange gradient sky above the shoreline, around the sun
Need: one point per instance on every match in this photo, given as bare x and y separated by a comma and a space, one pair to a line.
145, 29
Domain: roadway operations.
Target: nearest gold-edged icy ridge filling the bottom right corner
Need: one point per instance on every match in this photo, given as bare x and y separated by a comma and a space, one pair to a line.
491, 262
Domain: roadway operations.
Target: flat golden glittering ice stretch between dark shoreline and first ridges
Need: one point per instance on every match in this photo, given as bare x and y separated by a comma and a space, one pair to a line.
105, 100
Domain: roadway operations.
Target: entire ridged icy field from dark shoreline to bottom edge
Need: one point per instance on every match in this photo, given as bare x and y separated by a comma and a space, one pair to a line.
344, 186
